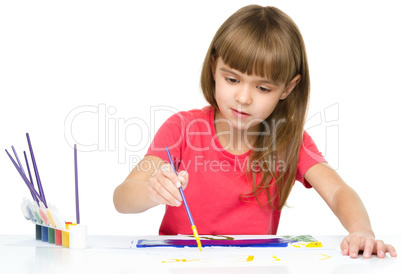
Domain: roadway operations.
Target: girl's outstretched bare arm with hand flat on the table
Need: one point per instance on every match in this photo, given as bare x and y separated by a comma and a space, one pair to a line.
348, 207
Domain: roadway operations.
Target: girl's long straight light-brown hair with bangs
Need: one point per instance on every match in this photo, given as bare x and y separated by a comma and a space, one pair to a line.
264, 41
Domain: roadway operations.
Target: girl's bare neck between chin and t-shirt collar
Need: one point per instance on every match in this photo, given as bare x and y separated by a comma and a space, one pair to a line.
233, 140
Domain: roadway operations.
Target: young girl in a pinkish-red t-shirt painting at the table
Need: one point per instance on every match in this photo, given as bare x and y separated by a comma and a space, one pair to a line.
240, 156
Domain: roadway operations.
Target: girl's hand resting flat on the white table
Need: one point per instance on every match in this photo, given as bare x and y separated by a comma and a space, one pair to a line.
365, 242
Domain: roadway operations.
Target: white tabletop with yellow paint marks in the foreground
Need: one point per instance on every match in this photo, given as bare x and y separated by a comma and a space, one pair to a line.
112, 254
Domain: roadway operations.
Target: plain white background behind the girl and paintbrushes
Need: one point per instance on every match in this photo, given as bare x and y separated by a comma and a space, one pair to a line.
100, 71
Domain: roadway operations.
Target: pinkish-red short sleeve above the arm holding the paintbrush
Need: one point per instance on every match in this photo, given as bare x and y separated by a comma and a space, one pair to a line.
170, 135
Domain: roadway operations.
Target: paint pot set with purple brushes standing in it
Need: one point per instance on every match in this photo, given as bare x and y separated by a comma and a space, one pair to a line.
50, 227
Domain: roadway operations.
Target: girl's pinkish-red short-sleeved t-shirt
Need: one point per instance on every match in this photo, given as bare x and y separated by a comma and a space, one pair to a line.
217, 179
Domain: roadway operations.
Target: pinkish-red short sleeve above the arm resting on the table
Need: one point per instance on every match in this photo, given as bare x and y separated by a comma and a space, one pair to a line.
308, 157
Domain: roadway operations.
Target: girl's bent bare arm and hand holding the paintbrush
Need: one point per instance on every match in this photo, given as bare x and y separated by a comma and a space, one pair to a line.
150, 183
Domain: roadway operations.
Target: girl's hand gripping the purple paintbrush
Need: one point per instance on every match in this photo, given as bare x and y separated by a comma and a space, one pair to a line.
163, 187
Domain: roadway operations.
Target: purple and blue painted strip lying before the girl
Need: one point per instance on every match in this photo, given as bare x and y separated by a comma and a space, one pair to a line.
180, 243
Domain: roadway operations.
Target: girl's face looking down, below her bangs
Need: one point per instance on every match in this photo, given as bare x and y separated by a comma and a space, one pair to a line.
245, 101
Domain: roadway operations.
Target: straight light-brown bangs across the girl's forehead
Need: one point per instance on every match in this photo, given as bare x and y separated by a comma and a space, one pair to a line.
260, 51
